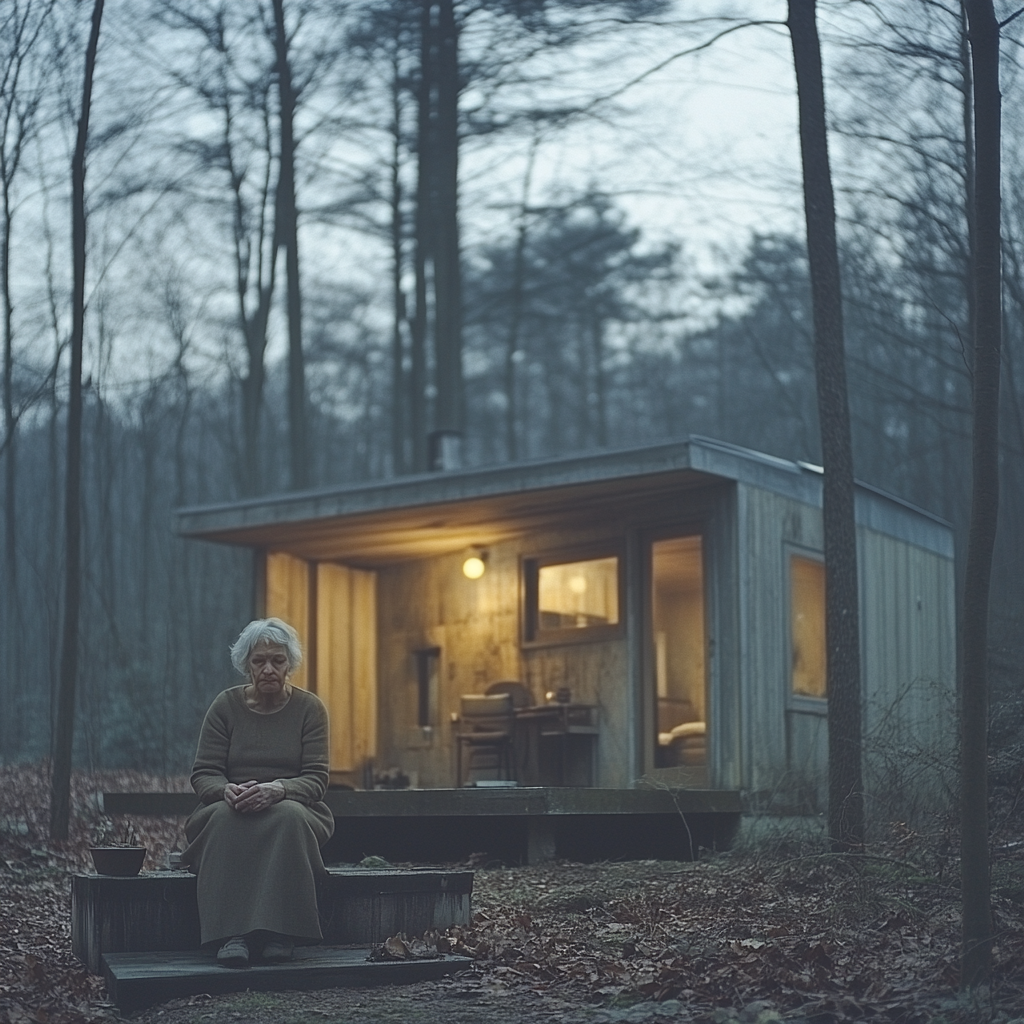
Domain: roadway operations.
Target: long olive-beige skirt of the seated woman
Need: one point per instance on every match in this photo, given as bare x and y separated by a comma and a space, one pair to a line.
259, 872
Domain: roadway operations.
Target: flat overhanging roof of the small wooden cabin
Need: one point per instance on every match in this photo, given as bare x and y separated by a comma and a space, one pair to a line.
428, 515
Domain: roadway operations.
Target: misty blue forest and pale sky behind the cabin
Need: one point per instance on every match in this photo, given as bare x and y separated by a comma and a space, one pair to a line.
633, 271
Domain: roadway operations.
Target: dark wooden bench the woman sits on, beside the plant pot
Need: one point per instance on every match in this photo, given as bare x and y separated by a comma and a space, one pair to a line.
156, 911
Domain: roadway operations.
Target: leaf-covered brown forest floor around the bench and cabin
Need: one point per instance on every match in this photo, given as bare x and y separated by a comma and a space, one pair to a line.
779, 929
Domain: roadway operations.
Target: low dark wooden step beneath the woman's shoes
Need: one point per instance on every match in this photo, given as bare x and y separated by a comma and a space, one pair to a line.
139, 980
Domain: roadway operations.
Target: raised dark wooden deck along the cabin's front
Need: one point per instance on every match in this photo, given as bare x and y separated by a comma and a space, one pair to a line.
516, 826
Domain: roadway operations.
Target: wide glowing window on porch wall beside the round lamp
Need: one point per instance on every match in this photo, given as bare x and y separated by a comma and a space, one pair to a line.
573, 600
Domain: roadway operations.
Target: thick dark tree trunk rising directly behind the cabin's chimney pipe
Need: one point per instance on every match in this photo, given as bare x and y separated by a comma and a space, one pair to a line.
449, 413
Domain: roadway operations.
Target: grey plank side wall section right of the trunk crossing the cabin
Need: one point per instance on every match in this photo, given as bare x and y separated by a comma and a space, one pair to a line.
910, 629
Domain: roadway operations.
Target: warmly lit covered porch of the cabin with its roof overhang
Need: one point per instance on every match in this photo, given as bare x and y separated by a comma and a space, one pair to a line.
584, 594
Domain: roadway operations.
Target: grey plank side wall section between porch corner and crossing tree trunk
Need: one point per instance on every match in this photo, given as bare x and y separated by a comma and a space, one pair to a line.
786, 750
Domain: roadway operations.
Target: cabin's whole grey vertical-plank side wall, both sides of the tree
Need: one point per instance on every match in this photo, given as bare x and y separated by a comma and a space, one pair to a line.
909, 665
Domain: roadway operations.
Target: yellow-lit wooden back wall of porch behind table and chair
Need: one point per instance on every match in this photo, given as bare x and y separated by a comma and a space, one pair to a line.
477, 625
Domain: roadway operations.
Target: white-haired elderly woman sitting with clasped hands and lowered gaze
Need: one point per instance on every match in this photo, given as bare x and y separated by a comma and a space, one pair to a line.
262, 772
